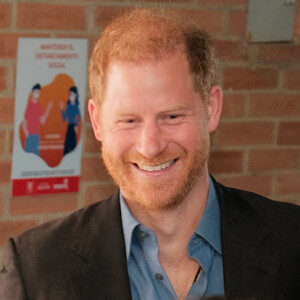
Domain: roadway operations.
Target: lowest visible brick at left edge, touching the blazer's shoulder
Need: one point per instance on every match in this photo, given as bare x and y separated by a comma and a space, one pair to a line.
10, 229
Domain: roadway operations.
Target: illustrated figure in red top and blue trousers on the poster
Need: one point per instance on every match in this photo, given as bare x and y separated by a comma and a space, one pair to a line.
33, 119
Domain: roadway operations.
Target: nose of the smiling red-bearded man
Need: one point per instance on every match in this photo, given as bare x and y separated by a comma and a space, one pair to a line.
151, 140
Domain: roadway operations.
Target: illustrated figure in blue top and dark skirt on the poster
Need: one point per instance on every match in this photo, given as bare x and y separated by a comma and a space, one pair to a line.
72, 113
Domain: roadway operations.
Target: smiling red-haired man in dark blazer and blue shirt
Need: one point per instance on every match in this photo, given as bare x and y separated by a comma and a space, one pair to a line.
172, 232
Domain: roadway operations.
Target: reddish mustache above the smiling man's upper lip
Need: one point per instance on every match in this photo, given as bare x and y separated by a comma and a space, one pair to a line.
162, 157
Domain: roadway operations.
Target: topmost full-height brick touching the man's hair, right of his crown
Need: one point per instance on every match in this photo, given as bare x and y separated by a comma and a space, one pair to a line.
211, 20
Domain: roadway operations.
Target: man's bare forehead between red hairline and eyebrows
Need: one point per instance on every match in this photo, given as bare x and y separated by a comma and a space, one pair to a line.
167, 82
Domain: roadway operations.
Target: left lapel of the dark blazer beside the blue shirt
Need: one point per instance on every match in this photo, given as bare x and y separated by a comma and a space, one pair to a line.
97, 264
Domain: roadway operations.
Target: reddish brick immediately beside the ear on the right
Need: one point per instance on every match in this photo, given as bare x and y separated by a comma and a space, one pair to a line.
233, 105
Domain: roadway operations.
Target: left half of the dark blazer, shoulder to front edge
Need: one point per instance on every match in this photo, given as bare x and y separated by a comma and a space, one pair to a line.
76, 257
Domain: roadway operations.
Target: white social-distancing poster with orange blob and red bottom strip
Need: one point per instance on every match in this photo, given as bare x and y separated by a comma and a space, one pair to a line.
49, 115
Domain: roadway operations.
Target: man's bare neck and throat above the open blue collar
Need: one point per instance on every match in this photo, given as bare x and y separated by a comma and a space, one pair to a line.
175, 227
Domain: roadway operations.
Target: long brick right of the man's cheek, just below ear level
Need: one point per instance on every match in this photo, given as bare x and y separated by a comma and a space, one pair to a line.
245, 133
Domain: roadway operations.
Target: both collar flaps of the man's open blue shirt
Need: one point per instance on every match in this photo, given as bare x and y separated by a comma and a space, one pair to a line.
208, 228
